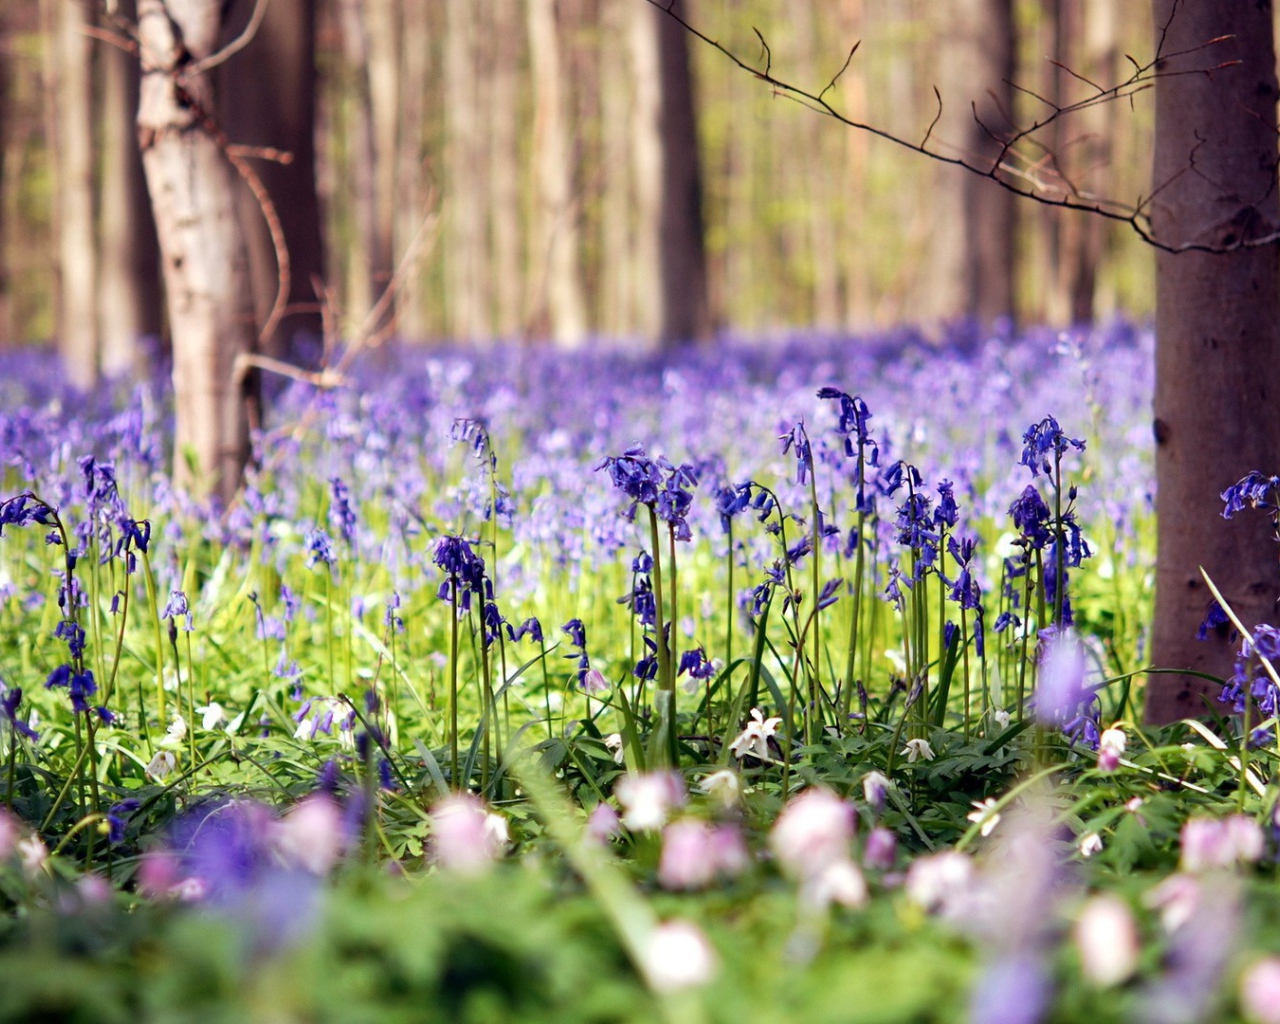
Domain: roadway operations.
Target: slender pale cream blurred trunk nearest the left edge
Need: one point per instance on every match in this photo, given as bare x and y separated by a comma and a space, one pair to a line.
77, 292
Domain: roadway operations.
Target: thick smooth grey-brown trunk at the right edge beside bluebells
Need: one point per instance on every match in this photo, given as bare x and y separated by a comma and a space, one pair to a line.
1218, 331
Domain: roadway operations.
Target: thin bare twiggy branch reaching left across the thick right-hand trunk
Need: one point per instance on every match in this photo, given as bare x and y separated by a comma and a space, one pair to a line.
1011, 170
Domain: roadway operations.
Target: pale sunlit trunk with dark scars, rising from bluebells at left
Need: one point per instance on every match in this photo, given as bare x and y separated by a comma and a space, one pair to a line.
202, 244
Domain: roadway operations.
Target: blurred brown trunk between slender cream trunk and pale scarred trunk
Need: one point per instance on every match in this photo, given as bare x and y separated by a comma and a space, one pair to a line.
129, 296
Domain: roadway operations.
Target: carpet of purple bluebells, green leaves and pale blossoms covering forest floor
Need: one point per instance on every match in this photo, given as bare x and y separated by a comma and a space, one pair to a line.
796, 683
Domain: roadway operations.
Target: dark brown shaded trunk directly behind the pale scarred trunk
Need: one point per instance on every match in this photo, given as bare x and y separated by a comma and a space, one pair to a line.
267, 98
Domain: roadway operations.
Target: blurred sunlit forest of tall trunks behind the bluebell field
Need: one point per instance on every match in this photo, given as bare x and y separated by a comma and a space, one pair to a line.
528, 145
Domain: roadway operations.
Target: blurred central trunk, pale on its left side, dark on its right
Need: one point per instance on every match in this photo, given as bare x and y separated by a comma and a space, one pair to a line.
673, 259
